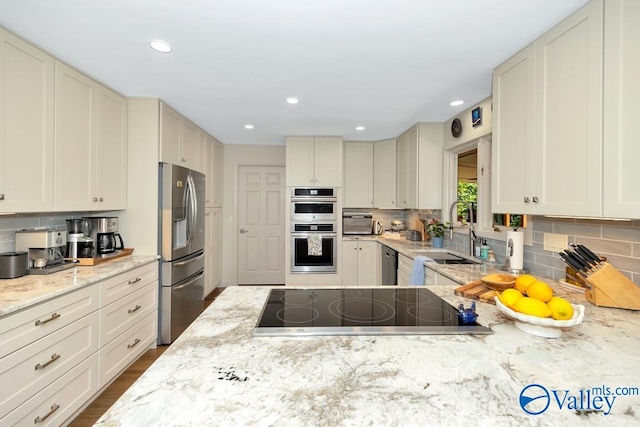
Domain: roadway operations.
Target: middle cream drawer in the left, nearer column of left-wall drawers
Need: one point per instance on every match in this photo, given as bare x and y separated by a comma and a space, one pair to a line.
26, 371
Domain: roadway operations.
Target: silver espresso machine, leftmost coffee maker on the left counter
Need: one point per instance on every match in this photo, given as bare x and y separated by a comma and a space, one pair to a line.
45, 248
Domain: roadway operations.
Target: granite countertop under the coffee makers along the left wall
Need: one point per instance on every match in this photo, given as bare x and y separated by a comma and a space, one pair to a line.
25, 291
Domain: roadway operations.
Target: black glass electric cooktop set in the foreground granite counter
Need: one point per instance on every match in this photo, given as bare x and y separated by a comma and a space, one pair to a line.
360, 311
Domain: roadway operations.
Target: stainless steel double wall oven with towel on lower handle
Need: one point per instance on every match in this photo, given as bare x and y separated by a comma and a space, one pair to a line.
314, 237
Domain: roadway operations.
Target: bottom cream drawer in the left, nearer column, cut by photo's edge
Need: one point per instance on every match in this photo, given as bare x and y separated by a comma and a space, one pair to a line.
60, 400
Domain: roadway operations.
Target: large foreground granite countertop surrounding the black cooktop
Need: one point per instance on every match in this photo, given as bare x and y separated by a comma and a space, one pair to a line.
217, 373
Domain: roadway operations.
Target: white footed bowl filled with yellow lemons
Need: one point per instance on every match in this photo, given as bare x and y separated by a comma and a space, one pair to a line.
536, 310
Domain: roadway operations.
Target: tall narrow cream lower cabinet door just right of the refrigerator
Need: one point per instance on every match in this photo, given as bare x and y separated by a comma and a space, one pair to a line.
212, 249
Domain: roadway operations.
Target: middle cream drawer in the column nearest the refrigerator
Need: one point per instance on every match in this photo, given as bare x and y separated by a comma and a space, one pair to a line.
126, 312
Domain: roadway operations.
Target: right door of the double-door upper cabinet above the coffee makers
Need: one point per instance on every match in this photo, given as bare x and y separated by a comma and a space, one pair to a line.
111, 150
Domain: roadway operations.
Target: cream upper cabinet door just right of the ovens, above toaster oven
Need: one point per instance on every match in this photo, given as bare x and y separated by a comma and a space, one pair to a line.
358, 175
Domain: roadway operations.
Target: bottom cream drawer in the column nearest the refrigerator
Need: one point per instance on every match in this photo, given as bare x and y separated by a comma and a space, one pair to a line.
117, 355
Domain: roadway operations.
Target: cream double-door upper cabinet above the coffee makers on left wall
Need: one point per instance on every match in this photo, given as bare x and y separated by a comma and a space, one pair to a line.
90, 144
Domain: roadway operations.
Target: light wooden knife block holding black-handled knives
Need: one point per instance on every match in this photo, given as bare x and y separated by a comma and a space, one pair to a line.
610, 288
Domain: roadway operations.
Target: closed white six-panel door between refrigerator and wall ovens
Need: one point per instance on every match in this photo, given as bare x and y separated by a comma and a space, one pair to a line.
261, 222
